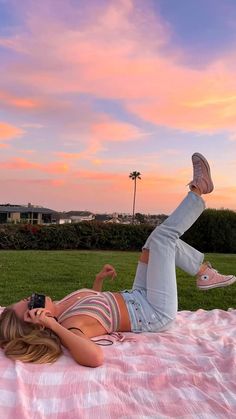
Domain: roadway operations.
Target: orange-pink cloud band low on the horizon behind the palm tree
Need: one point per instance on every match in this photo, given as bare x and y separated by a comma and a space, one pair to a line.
153, 195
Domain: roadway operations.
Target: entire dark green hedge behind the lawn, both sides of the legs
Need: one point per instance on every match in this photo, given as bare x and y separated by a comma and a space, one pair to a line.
214, 231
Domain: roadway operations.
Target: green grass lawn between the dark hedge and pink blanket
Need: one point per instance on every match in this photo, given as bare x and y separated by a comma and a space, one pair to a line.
57, 273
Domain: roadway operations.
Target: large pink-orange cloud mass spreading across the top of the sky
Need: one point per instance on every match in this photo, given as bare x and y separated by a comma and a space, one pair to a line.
159, 88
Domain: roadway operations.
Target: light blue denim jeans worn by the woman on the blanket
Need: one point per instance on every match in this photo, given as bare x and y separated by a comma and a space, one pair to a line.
153, 302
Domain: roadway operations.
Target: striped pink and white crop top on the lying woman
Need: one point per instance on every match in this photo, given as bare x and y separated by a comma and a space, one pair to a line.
102, 306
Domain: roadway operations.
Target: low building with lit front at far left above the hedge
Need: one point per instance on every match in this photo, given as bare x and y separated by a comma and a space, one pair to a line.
28, 214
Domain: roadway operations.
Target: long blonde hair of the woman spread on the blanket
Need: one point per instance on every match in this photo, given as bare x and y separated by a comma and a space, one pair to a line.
27, 342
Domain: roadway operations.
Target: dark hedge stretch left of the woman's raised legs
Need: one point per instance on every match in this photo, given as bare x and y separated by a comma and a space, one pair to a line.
85, 235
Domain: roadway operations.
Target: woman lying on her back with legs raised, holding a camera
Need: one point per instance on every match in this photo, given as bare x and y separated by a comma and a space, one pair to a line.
33, 329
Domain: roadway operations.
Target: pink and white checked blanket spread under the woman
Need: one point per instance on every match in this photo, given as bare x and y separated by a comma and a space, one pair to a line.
186, 372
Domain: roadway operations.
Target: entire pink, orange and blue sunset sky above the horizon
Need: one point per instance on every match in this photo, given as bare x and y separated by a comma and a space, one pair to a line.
91, 90
